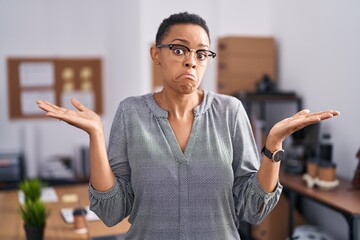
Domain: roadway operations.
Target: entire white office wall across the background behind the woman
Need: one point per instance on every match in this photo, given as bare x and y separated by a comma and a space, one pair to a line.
319, 58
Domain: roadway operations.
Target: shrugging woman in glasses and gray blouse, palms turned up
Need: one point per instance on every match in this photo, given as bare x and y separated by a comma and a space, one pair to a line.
182, 162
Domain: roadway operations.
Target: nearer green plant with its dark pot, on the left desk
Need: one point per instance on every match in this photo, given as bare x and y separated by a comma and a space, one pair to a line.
34, 214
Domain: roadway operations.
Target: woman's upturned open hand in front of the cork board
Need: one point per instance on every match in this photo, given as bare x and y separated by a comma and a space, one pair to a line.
84, 118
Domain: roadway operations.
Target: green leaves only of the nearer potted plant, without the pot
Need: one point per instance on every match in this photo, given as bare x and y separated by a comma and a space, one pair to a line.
34, 213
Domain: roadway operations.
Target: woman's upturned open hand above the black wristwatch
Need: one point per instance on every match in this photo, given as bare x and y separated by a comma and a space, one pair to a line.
286, 127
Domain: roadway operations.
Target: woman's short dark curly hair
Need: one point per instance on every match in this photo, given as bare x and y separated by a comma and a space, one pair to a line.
183, 17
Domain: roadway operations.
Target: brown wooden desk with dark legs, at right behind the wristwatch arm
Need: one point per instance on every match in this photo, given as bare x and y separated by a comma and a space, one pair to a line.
342, 199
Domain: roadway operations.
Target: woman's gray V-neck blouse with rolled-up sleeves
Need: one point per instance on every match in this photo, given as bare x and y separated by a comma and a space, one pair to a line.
201, 193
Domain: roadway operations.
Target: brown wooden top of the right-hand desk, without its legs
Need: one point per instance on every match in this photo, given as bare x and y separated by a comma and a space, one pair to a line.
343, 197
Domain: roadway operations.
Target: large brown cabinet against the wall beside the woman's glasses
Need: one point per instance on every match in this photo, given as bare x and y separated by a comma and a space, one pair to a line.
243, 61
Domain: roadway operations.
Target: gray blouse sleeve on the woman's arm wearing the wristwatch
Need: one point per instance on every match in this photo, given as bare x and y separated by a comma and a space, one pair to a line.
252, 203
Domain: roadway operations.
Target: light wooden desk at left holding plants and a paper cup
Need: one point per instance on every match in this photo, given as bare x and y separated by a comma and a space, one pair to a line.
11, 224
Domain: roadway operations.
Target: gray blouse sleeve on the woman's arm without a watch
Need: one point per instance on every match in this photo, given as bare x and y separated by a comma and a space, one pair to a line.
115, 204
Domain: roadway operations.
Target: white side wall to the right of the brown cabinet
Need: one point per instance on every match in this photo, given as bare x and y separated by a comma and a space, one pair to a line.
320, 59
